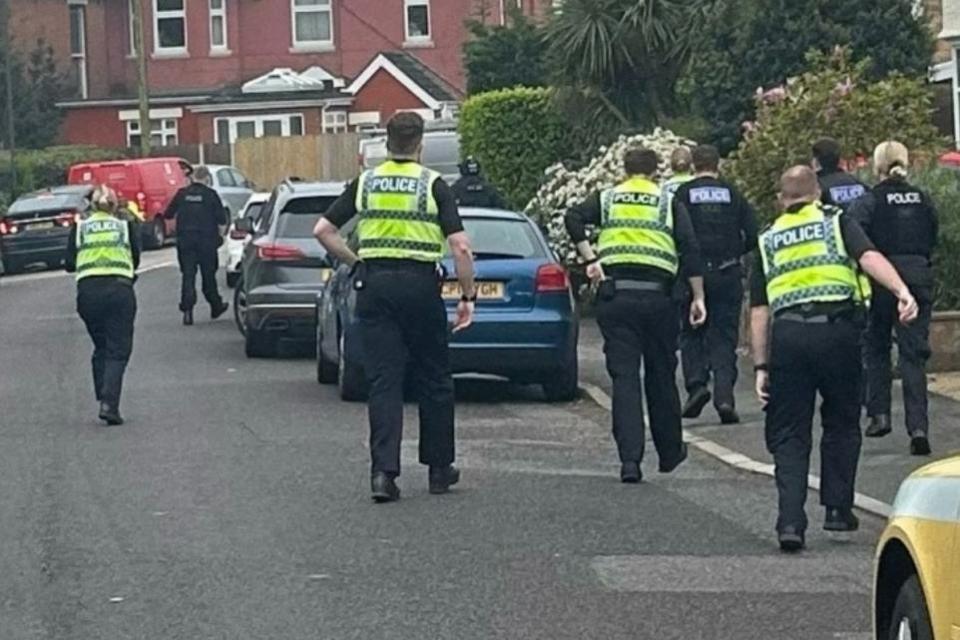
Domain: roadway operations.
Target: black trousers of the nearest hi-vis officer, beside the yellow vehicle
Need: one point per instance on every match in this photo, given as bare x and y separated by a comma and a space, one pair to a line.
805, 359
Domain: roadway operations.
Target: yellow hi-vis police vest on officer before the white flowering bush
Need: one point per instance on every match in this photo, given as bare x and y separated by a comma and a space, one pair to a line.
637, 227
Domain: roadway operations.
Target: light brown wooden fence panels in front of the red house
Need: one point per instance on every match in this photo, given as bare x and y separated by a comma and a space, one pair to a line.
267, 161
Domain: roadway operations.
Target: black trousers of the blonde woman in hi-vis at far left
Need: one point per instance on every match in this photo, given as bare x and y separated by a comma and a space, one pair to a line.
108, 307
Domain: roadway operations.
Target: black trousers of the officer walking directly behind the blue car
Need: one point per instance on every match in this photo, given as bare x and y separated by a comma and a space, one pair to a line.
403, 328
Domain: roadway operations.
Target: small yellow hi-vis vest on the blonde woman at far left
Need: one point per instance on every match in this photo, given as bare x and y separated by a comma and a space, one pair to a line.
103, 247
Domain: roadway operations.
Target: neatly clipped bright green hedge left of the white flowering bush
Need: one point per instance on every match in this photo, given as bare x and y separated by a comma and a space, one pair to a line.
515, 134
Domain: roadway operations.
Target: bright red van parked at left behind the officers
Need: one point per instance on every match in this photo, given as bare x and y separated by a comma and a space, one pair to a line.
150, 182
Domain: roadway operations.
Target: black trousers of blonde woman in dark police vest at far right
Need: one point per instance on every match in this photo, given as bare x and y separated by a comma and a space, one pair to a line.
913, 345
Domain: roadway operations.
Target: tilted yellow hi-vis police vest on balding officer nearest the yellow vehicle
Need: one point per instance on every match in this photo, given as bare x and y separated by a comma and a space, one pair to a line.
805, 260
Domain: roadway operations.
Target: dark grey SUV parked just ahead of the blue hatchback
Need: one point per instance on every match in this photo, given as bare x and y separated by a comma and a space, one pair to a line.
284, 268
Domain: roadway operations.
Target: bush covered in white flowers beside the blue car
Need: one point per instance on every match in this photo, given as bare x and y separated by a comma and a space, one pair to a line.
562, 188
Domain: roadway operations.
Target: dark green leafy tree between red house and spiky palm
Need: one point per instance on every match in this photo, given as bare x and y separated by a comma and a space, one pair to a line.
505, 56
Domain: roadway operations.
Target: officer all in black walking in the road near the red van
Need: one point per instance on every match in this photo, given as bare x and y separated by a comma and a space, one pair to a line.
200, 216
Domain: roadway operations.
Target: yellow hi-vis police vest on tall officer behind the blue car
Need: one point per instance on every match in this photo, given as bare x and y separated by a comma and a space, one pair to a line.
398, 214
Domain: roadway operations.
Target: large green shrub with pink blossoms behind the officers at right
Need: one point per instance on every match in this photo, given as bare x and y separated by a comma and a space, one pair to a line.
832, 99
